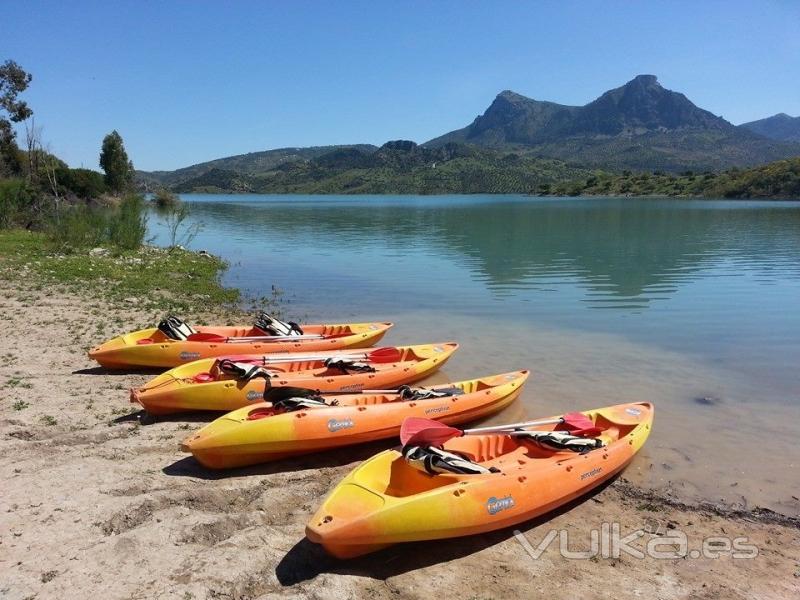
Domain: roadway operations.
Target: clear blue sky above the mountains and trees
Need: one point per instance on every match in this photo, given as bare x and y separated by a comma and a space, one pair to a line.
185, 82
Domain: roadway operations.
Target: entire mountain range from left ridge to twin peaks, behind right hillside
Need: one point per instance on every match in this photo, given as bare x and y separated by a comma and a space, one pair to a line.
517, 145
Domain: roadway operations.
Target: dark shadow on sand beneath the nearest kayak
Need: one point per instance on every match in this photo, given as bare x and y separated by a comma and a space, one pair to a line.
306, 560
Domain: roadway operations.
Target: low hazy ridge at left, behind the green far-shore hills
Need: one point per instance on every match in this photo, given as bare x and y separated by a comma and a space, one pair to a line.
254, 162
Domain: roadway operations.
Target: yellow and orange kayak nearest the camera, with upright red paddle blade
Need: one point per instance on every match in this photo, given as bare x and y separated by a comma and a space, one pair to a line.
387, 499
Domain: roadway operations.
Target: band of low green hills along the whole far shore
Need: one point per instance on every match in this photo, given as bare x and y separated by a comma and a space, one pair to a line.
403, 167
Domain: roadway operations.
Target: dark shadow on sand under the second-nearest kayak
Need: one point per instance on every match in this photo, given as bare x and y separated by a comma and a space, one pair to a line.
336, 457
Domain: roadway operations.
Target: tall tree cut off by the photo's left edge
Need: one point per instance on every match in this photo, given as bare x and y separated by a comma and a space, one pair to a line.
13, 81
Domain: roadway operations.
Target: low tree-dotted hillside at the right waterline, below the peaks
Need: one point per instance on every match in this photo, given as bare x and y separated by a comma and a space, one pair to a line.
780, 179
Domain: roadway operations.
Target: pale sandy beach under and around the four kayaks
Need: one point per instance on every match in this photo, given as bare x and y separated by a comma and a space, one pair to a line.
95, 501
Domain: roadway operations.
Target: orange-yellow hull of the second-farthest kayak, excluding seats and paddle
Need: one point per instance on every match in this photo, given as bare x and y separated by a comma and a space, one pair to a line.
178, 389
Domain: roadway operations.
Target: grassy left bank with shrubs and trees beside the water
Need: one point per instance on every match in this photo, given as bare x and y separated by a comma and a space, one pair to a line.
84, 232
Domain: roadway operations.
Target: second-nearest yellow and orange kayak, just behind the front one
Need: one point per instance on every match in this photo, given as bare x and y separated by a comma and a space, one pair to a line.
258, 433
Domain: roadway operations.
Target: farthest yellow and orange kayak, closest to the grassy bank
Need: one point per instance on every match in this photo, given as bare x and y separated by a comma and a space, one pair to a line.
153, 348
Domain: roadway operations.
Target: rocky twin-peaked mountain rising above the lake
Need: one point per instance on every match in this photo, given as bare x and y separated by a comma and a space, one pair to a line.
640, 125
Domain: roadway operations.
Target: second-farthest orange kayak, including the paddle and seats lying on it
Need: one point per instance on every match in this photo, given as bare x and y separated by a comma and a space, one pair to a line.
205, 384
